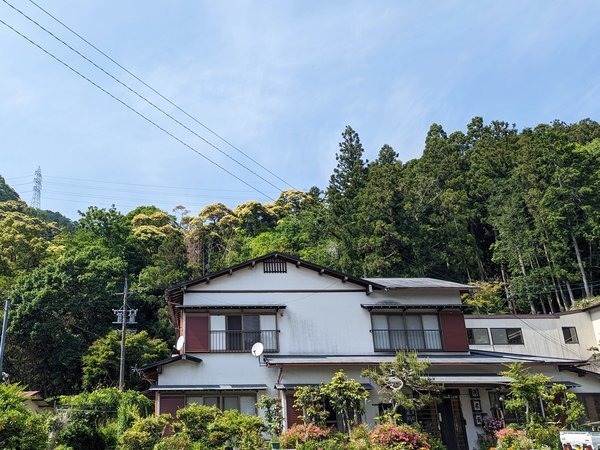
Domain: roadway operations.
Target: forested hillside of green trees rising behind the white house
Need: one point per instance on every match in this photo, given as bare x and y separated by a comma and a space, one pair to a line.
517, 211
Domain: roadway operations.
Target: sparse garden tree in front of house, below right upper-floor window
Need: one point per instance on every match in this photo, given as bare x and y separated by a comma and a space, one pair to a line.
403, 383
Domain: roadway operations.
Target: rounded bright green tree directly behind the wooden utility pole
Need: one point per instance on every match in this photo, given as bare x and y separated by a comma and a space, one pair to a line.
101, 362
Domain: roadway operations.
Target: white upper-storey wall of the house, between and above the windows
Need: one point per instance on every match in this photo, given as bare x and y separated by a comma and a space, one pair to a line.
318, 319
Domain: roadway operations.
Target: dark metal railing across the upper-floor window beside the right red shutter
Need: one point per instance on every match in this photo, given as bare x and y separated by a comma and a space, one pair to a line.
394, 340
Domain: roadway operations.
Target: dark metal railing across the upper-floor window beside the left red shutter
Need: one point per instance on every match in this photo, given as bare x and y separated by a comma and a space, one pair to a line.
242, 341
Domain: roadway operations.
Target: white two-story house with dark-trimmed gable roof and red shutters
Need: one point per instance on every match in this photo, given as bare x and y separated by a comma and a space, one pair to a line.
313, 321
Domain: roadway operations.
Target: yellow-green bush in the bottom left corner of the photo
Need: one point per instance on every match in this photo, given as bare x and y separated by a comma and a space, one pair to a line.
19, 427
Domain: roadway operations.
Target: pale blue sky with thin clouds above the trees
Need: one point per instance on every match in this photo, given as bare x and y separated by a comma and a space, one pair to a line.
279, 80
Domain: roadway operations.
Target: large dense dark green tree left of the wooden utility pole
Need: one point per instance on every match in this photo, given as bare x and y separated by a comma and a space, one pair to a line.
58, 311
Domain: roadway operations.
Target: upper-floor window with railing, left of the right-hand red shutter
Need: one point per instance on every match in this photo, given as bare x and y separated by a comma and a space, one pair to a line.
393, 332
